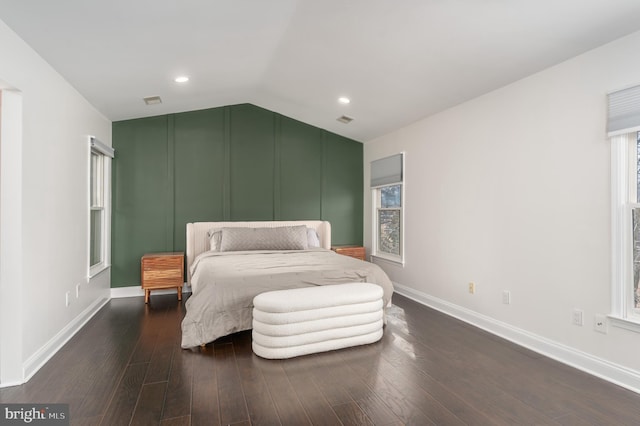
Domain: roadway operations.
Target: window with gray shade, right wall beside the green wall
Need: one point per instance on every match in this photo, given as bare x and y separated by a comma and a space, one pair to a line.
388, 200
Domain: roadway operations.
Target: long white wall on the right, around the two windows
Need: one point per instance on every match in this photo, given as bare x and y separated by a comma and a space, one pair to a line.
512, 191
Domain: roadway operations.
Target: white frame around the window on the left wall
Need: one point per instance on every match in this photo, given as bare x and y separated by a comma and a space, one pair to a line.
99, 197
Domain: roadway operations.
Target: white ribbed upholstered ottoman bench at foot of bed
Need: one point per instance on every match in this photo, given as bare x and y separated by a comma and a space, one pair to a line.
288, 323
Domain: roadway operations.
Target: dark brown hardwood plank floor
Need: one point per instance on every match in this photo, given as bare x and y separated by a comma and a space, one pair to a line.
126, 367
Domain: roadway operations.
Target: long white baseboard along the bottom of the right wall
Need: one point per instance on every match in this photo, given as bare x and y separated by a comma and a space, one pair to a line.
614, 373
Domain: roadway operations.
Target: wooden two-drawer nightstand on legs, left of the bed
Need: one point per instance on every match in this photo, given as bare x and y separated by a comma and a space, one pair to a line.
162, 270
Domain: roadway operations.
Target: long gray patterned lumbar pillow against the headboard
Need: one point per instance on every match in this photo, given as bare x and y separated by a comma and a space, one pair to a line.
281, 238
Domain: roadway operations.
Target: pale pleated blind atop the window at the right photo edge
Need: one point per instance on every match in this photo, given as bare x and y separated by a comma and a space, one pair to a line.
623, 111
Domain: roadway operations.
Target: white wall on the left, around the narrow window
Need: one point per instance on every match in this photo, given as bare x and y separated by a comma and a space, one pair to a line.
53, 235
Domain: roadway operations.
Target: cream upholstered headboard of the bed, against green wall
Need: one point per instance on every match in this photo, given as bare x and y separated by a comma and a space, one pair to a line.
198, 241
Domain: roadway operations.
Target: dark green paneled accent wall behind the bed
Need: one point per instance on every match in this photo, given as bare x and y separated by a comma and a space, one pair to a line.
239, 162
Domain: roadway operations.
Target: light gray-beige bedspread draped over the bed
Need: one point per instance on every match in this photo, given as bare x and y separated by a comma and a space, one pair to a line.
225, 283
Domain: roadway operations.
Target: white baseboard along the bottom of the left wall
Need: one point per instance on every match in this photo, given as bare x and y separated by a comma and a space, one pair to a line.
38, 359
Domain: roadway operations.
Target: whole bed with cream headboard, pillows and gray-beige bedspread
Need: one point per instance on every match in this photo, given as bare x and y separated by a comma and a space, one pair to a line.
229, 263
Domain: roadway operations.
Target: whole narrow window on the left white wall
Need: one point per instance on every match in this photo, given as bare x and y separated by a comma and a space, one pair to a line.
99, 197
